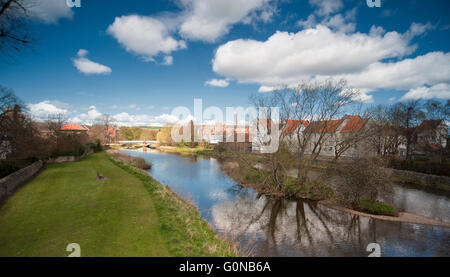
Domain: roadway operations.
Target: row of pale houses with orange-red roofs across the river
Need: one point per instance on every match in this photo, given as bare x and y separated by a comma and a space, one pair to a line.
350, 136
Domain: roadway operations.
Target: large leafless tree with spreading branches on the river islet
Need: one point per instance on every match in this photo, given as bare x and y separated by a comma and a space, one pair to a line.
315, 103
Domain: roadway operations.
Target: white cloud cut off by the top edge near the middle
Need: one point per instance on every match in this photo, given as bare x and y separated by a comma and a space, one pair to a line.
208, 20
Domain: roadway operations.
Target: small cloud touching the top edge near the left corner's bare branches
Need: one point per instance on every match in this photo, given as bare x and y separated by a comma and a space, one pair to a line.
48, 11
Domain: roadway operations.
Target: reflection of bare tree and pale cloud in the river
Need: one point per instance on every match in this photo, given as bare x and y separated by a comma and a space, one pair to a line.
280, 227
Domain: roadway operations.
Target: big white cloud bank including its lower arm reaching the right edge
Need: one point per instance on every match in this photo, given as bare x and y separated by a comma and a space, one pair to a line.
319, 53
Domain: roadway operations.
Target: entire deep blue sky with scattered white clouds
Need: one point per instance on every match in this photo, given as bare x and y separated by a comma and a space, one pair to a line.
137, 60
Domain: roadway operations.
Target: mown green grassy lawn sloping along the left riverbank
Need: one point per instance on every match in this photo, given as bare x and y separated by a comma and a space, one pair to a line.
120, 216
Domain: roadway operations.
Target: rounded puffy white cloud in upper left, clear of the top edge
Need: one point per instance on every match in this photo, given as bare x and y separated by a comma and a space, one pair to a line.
144, 36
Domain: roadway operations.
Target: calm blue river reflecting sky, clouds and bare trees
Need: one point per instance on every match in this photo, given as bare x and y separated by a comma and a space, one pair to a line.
296, 228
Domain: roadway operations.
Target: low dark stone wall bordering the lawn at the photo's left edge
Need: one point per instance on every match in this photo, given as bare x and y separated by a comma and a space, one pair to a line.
10, 183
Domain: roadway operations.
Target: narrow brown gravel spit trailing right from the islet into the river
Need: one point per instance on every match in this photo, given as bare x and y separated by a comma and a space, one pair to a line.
402, 216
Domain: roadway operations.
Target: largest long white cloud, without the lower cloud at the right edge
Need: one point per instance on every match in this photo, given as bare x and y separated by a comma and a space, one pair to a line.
289, 57
